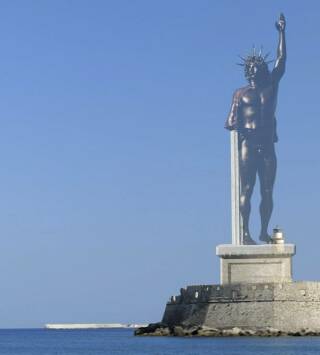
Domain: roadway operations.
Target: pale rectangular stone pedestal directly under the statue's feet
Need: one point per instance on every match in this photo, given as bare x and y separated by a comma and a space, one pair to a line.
255, 263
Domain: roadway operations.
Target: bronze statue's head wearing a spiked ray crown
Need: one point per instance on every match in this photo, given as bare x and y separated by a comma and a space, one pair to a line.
256, 67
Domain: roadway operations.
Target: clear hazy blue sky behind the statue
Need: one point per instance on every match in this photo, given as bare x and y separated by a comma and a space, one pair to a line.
114, 180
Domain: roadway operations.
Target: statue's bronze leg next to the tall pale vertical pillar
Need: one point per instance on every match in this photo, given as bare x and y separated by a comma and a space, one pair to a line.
248, 172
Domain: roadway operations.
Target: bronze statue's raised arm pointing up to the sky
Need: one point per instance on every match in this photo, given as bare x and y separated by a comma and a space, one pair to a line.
280, 64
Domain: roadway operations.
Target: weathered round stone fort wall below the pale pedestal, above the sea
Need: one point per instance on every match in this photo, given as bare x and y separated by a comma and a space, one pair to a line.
286, 307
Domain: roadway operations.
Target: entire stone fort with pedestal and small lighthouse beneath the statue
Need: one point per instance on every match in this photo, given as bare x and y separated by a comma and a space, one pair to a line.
256, 296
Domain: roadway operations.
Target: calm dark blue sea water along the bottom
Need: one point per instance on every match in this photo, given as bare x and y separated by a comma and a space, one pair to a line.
118, 342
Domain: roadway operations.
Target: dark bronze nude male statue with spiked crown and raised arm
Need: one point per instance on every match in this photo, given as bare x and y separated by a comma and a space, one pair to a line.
252, 115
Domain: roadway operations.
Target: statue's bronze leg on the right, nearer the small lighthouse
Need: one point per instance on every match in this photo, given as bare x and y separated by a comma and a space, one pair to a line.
267, 168
